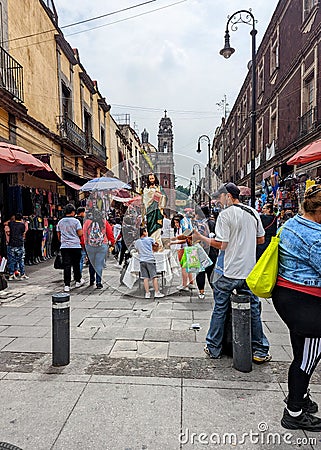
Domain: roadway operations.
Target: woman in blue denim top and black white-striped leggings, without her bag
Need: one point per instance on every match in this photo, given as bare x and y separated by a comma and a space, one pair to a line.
297, 299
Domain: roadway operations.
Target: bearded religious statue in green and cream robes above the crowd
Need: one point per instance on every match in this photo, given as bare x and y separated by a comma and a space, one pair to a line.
154, 202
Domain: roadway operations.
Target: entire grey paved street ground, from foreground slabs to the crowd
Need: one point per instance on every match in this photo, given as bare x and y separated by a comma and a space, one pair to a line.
138, 378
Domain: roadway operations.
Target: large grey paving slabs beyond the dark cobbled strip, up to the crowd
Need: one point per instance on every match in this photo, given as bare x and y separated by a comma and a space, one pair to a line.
115, 321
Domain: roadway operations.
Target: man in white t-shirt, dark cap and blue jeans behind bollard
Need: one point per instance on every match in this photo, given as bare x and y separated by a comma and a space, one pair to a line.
238, 230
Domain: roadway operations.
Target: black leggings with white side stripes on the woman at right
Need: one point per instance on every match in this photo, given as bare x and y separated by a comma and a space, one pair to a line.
302, 315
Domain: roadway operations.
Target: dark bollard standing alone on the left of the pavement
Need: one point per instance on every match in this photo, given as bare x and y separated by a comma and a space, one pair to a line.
60, 329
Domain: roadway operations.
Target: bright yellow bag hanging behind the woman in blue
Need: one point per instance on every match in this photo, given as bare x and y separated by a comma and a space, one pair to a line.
262, 277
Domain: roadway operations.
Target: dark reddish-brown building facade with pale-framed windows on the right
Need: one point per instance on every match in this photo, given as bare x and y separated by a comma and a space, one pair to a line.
288, 114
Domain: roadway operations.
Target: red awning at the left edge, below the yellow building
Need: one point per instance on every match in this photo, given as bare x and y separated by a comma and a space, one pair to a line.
14, 159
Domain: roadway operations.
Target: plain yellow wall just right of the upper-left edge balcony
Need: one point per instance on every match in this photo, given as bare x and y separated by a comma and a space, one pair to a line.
37, 55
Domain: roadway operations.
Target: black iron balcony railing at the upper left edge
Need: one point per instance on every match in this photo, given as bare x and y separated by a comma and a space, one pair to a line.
11, 75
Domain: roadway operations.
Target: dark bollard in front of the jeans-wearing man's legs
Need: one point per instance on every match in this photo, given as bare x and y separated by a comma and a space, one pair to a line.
241, 329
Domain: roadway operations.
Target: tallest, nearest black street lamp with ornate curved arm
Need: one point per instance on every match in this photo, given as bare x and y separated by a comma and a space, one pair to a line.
246, 16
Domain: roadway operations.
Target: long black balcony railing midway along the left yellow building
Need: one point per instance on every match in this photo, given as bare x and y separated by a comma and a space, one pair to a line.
69, 130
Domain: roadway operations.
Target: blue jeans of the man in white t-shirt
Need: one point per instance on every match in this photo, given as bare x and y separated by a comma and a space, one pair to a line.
223, 288
